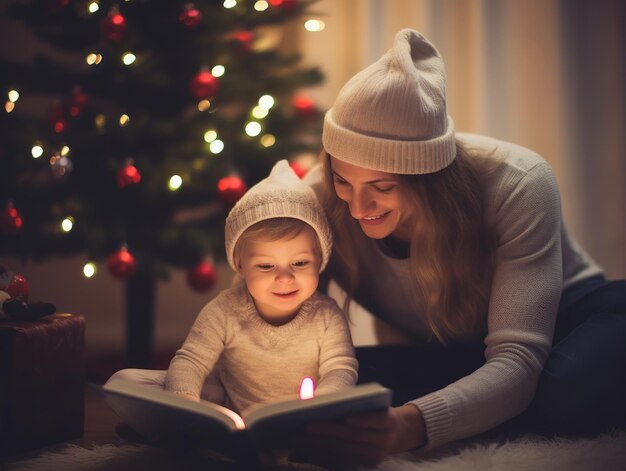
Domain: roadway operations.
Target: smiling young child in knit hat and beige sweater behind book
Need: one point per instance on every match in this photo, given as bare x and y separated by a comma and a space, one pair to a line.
255, 342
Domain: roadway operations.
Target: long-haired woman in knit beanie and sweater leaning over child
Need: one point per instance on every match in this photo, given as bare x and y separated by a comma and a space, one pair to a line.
457, 240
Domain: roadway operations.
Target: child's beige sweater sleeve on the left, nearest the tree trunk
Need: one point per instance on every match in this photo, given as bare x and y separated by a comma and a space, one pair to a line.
200, 351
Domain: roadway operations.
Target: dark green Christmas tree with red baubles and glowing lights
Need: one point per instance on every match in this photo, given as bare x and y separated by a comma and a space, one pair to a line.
133, 142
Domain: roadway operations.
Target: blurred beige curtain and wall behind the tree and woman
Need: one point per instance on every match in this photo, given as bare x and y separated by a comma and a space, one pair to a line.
546, 74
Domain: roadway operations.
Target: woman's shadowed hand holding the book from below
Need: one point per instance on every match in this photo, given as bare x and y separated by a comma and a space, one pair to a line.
364, 439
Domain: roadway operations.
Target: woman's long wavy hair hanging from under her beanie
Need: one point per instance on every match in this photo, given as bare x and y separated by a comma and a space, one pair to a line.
452, 247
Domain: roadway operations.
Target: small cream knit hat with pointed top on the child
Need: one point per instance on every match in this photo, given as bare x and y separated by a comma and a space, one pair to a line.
281, 194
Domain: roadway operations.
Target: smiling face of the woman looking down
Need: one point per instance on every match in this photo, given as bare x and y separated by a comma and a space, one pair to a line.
374, 199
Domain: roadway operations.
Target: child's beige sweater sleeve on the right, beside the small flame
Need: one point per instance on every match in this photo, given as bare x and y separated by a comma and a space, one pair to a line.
338, 364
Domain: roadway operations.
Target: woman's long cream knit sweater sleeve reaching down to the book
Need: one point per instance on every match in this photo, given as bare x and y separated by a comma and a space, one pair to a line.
524, 299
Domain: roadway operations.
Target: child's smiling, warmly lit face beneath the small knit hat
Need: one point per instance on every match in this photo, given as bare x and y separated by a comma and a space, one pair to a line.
280, 275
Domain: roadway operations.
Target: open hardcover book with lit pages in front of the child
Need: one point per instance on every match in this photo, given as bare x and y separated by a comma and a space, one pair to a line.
162, 415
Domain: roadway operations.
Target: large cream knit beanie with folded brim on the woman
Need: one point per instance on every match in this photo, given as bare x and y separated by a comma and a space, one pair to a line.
392, 116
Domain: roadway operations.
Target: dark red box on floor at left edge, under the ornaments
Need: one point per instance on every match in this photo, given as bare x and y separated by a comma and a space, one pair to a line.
41, 382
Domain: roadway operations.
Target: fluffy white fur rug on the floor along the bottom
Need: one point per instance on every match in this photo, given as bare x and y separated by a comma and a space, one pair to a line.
604, 453
